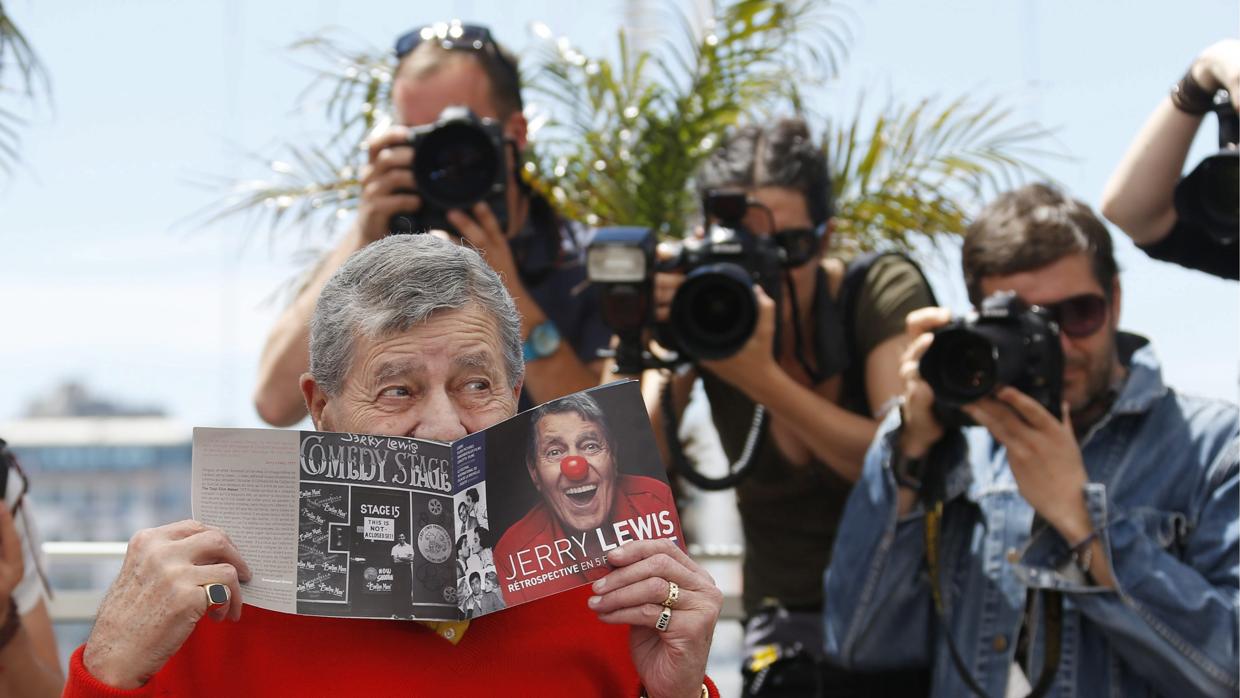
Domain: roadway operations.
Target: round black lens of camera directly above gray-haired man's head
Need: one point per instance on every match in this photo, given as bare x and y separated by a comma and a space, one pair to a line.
456, 166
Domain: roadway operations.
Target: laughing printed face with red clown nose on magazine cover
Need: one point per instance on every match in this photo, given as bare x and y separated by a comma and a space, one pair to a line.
583, 504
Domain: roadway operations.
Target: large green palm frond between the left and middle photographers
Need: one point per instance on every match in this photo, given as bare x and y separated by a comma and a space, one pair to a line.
631, 136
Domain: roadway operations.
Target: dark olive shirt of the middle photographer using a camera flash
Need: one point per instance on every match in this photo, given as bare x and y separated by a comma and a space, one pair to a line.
789, 513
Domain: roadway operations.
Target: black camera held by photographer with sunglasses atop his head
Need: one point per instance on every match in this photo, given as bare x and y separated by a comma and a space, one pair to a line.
459, 161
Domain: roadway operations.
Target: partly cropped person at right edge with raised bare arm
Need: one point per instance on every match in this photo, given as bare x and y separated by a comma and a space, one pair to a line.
1141, 198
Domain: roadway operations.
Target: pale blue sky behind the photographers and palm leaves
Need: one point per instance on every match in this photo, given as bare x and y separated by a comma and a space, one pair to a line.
107, 280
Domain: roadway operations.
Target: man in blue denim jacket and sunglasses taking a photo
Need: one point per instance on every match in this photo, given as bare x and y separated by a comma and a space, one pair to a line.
1096, 554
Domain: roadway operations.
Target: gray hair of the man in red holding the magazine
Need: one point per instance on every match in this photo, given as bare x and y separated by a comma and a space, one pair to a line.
396, 283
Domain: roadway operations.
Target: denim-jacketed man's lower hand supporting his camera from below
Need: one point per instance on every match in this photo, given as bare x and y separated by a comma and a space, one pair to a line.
1045, 457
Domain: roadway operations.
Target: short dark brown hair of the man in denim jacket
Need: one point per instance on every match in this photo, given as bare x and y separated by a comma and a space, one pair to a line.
1032, 228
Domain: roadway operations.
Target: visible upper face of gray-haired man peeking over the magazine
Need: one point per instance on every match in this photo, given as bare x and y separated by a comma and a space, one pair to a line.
441, 380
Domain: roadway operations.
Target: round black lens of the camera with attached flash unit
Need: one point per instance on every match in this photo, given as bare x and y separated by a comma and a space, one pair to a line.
715, 312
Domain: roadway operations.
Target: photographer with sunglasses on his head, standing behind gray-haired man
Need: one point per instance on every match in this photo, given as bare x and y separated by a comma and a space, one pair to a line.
536, 254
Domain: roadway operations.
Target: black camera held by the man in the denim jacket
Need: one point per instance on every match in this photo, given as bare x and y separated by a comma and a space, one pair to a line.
1006, 344
